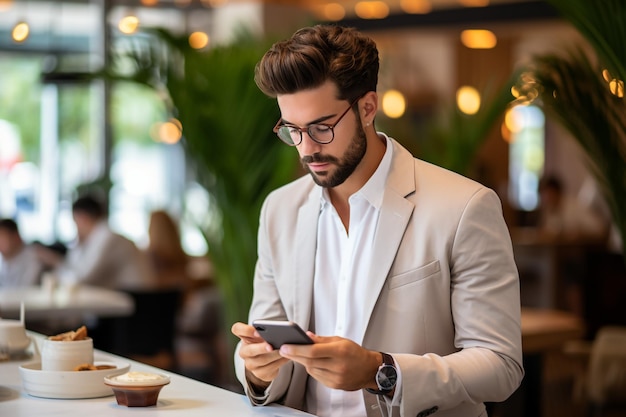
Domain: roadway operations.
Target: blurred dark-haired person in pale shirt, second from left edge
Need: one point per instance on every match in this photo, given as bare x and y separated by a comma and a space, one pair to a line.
100, 256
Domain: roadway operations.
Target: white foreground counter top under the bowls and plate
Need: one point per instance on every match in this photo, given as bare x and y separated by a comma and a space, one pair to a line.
183, 397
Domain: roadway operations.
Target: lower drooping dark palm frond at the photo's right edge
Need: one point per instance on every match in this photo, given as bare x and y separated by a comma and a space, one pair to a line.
573, 91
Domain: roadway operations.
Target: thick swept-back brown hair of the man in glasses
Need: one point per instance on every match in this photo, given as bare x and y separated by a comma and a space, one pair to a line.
317, 54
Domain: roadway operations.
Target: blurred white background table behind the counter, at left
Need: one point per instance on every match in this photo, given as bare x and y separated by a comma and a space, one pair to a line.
64, 302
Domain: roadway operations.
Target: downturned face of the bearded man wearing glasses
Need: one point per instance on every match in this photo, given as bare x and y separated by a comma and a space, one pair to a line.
333, 163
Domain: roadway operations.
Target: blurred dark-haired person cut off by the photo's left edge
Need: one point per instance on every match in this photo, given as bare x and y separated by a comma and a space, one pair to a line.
19, 262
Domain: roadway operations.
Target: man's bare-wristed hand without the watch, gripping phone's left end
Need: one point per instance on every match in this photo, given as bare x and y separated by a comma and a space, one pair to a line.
261, 360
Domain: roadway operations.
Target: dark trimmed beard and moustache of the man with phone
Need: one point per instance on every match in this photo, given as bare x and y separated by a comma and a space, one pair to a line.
344, 166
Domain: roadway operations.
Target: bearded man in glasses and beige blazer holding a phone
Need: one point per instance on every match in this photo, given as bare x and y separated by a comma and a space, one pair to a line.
403, 272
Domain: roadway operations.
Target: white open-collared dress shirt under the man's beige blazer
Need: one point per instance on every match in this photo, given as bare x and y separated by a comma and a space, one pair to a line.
342, 258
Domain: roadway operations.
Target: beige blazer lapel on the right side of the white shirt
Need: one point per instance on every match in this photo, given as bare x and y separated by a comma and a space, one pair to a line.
395, 213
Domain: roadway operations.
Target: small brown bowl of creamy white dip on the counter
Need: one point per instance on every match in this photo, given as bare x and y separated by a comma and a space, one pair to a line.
137, 389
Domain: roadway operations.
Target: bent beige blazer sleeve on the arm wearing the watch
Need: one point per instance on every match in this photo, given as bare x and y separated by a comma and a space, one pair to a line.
487, 363
